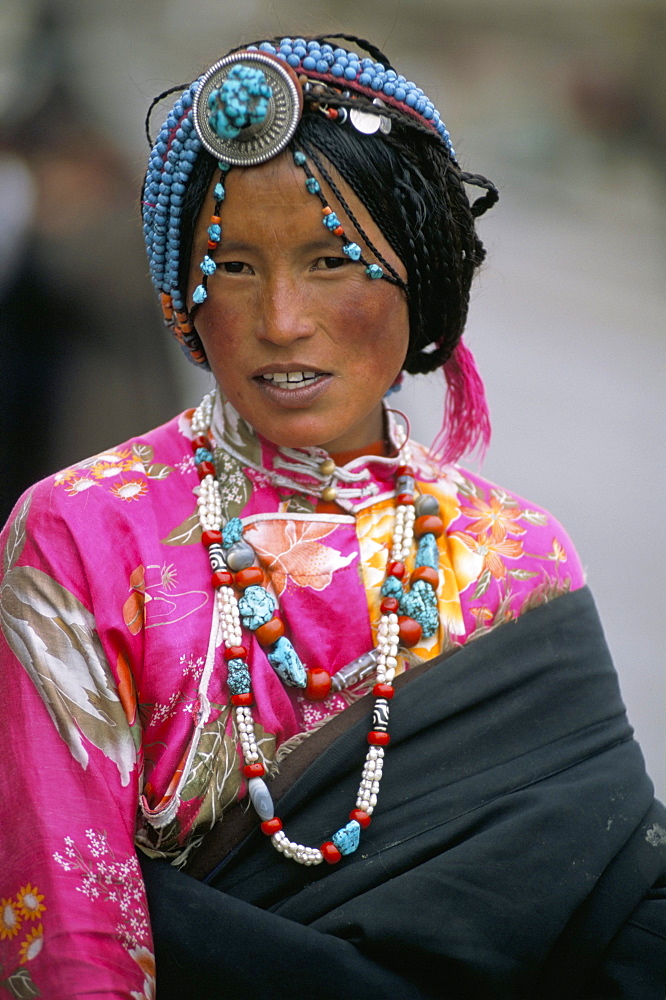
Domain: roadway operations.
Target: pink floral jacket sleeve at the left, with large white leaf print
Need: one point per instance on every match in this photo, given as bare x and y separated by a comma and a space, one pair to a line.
73, 913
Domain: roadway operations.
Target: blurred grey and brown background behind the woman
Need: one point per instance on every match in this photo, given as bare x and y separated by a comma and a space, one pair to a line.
560, 102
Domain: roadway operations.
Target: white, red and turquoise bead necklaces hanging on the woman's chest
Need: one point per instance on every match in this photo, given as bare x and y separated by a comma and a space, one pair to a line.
231, 561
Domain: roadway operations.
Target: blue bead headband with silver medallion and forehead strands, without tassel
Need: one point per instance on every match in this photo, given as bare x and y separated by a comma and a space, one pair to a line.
244, 110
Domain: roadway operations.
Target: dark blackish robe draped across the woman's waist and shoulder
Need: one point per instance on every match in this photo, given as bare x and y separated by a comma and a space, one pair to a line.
517, 850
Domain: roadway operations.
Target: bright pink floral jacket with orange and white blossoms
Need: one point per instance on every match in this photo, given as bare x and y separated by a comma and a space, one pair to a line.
115, 725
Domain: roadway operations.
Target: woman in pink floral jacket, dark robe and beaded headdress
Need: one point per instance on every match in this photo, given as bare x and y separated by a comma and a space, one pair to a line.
183, 614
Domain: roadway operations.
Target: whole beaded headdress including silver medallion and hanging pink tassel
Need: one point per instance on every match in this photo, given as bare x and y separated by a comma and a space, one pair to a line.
244, 110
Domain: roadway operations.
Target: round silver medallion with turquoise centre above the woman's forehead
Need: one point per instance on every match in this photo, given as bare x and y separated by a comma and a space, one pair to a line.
247, 107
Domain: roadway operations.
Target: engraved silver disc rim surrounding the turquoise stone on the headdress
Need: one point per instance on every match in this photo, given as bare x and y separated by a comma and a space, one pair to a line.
259, 142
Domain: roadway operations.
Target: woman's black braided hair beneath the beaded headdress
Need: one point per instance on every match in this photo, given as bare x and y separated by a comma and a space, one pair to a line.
415, 192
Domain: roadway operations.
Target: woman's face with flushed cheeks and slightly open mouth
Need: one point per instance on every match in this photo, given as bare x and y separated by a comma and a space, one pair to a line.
287, 308
